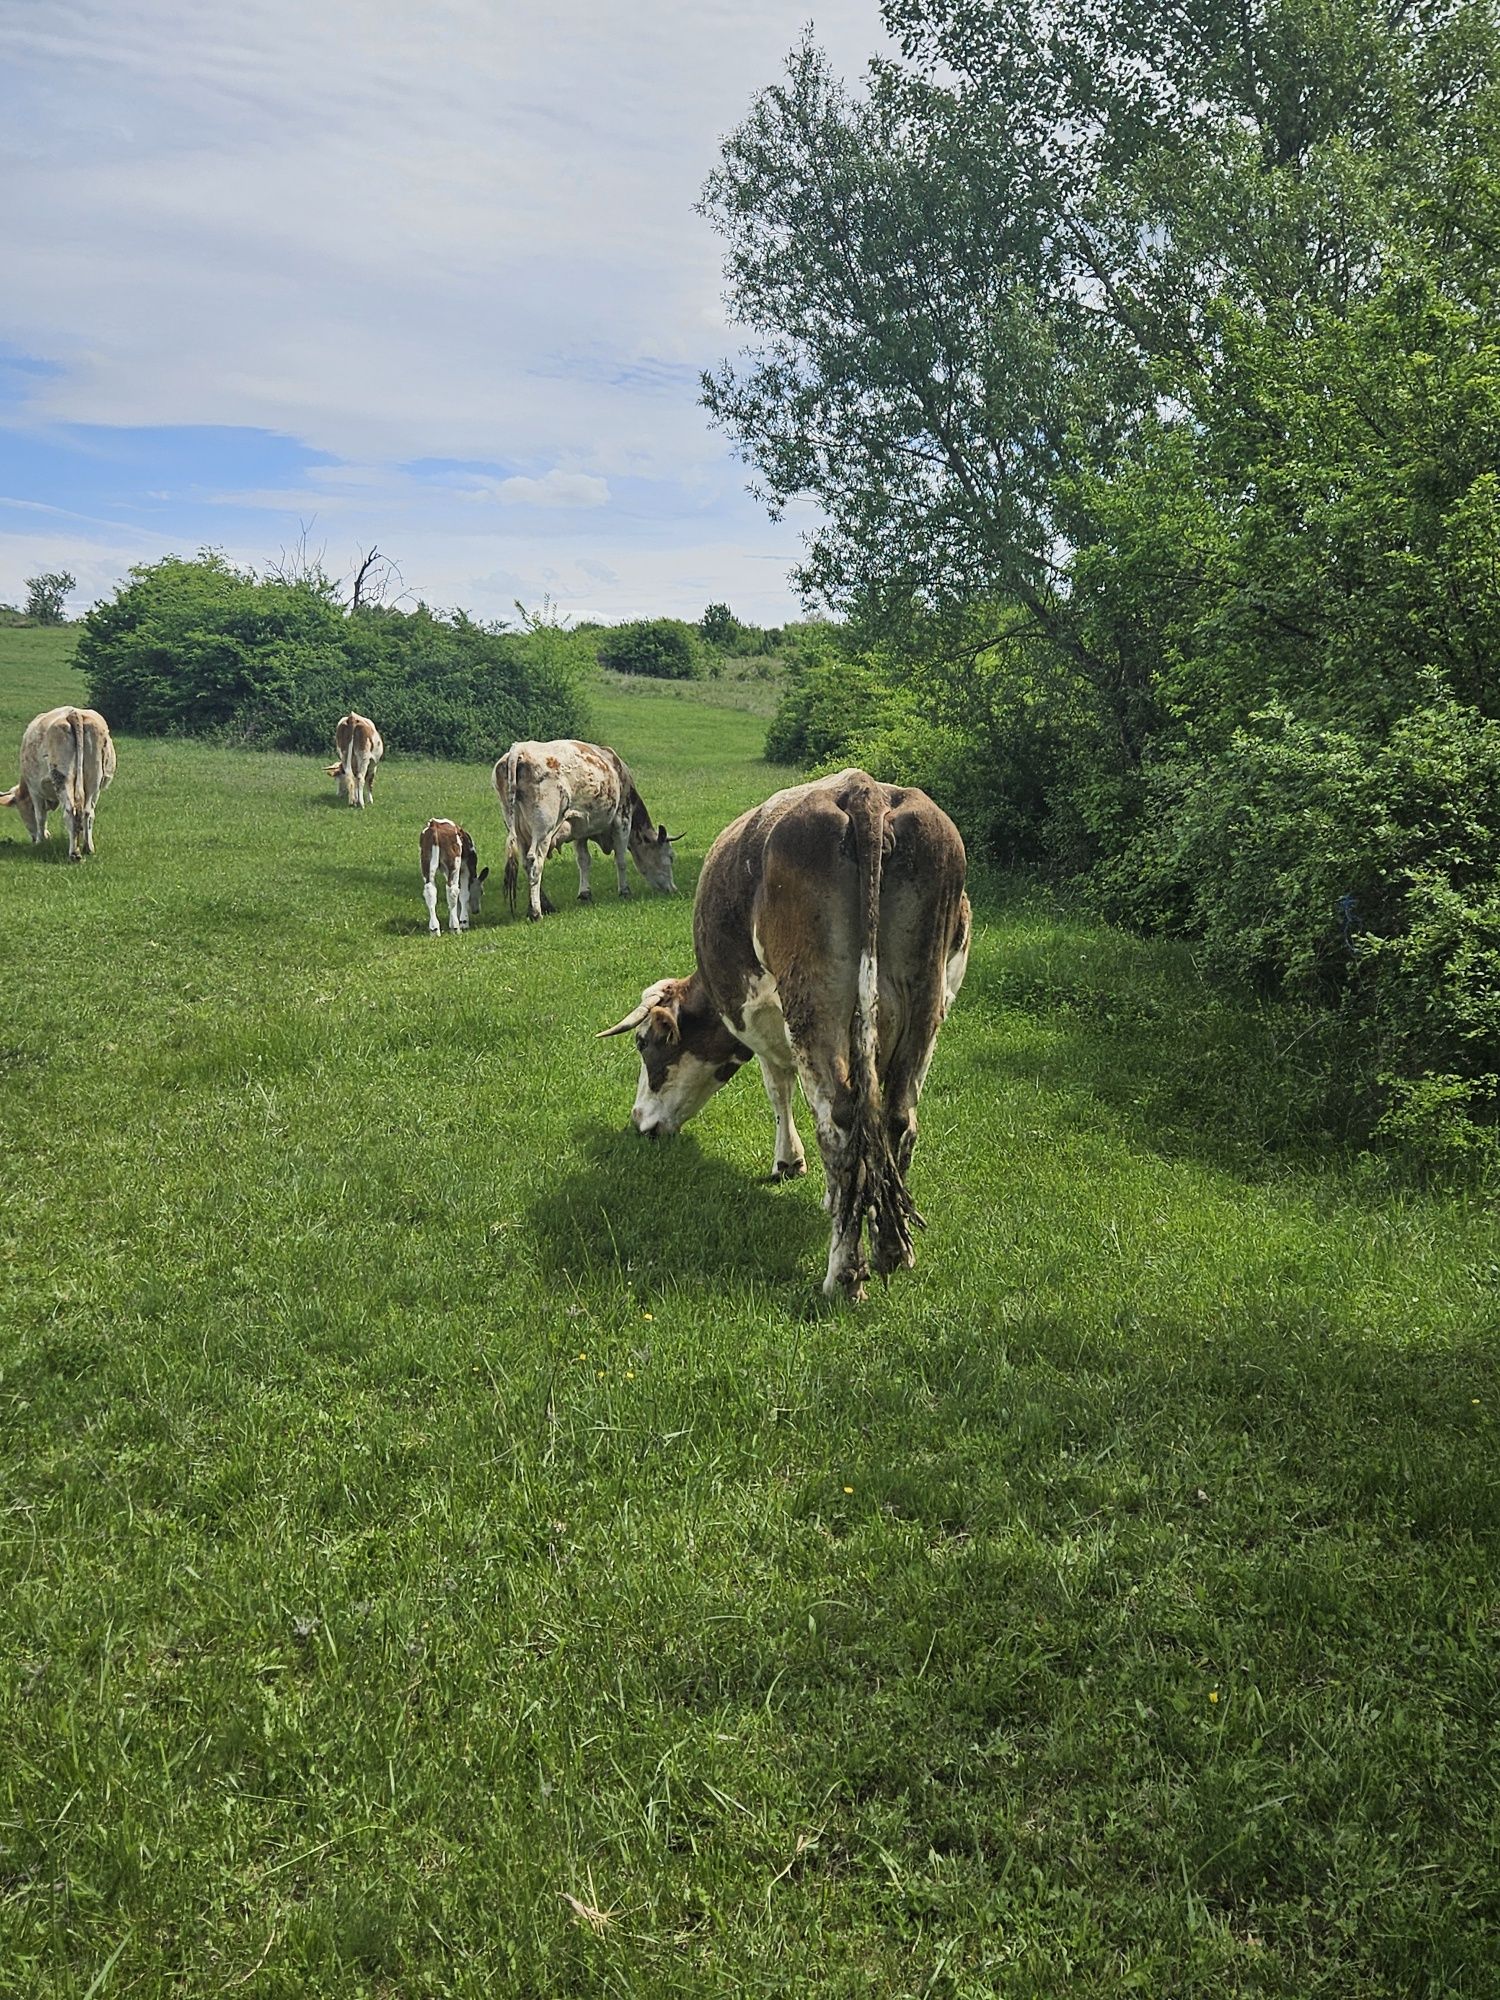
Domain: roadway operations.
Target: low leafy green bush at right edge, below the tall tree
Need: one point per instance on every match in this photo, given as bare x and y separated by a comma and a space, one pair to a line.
1359, 875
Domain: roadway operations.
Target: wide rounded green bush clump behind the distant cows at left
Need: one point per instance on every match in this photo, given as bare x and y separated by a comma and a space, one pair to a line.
197, 647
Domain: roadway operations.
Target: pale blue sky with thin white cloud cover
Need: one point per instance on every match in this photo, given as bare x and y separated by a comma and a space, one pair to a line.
311, 275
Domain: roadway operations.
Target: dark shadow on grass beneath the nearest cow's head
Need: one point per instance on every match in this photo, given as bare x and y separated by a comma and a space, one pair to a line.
667, 1211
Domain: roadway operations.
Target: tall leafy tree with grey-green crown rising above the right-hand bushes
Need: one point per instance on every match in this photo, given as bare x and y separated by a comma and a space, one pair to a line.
1051, 317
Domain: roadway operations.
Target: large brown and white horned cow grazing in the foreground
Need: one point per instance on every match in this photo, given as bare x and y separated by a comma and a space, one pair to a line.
831, 929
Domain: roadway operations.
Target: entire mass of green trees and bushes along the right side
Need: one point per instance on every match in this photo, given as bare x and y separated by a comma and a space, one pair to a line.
1145, 371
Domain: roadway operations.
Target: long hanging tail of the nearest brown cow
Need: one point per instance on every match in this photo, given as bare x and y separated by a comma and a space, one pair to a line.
875, 1187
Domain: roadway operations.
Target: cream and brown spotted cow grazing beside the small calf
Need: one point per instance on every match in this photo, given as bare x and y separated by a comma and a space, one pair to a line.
569, 791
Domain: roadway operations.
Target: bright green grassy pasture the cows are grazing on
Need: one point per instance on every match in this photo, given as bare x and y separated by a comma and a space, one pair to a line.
449, 1549
